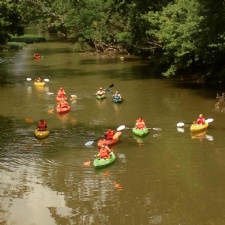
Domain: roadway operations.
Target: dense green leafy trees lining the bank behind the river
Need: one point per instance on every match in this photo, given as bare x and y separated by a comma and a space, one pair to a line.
181, 35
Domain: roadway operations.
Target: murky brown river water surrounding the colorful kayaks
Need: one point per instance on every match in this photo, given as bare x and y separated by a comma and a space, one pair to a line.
169, 177
